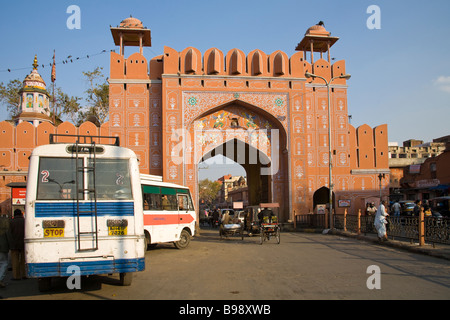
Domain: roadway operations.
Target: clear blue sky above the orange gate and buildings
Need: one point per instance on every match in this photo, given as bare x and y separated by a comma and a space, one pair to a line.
400, 72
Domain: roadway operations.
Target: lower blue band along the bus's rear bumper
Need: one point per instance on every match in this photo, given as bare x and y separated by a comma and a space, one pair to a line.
43, 270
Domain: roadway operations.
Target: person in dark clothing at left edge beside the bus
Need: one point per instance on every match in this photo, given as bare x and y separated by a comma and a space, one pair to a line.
16, 236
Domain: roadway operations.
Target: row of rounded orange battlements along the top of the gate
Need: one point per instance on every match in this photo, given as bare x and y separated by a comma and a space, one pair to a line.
191, 61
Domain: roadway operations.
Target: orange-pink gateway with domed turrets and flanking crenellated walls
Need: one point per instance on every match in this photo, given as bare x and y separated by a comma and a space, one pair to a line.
183, 107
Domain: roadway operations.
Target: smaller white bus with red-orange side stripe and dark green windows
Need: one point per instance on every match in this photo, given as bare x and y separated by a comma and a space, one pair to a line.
169, 215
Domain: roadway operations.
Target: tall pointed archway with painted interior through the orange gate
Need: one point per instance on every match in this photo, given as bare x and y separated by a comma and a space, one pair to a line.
253, 138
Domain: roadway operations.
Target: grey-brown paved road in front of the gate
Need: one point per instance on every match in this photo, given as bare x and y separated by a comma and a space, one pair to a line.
303, 266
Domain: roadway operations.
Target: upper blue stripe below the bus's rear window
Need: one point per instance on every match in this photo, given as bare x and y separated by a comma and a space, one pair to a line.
69, 209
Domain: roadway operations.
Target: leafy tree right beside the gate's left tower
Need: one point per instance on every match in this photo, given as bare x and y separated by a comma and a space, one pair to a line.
97, 95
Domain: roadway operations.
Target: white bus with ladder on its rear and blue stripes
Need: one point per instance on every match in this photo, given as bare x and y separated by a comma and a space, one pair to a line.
83, 210
